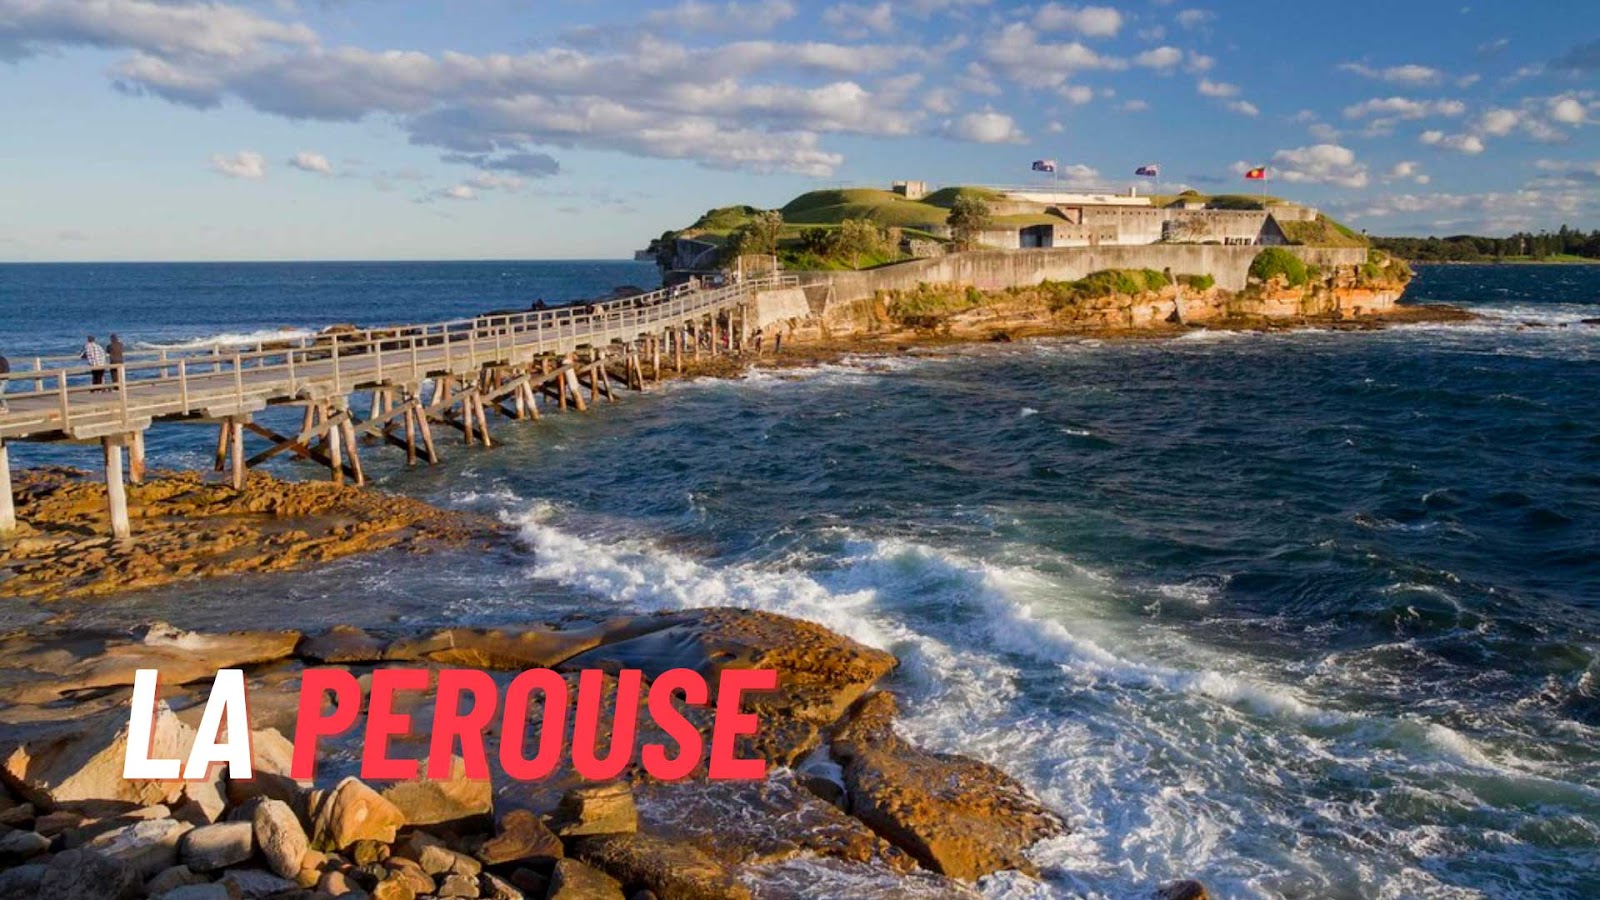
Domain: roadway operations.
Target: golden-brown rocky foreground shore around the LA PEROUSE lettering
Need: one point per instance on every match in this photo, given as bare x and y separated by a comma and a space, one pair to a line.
849, 808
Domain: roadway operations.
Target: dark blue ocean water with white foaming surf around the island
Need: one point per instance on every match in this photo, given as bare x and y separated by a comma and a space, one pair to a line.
1305, 614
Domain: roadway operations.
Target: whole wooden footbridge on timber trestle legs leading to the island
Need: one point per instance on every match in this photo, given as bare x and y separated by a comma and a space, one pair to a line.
449, 374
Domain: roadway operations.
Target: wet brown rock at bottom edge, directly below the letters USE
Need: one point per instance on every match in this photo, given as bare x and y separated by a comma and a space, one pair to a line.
678, 872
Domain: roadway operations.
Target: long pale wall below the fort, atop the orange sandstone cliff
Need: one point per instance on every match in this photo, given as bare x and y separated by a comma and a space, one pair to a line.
996, 270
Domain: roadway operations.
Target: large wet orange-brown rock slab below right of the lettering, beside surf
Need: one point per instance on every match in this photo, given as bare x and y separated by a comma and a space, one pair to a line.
956, 816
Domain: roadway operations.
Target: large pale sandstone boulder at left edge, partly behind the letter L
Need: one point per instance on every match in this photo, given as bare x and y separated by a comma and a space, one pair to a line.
62, 761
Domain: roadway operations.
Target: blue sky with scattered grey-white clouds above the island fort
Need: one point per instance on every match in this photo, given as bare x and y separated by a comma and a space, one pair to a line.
526, 129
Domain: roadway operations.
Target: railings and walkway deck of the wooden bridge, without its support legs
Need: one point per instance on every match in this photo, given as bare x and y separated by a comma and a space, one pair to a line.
180, 384
